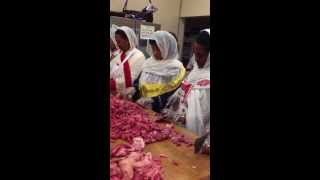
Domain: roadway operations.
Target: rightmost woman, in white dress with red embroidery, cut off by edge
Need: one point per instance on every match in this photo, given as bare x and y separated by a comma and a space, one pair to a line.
191, 102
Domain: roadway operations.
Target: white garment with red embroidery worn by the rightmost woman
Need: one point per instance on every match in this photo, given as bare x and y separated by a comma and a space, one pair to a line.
194, 95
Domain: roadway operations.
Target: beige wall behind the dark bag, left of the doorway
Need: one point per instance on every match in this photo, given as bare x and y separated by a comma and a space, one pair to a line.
167, 16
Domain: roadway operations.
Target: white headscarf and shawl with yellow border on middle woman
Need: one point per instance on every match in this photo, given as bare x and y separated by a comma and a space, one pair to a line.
168, 72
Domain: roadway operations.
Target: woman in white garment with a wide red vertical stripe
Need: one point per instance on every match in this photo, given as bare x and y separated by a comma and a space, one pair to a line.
126, 67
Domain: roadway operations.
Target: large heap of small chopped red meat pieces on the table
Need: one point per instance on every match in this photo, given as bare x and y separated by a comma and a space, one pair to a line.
129, 120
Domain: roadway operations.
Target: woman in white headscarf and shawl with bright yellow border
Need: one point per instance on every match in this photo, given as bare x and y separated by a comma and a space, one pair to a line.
161, 74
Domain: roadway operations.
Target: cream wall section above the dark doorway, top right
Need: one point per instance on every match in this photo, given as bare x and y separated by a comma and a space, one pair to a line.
190, 8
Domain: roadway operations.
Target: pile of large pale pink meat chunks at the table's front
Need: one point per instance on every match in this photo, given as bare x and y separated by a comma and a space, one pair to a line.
129, 162
